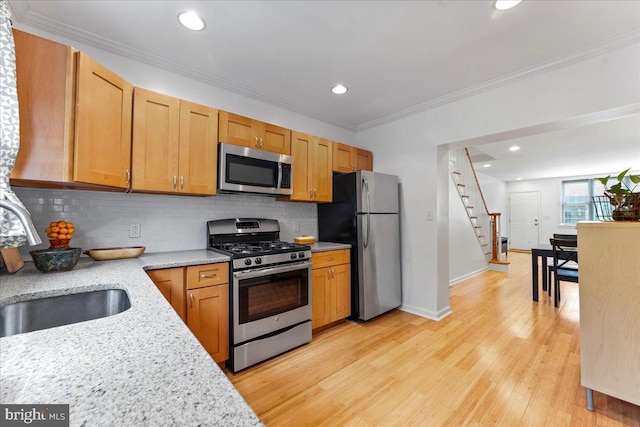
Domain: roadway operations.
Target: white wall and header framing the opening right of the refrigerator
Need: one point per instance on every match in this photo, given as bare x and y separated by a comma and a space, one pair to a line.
407, 148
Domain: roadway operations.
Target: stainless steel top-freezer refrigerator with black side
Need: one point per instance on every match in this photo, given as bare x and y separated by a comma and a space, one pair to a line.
365, 214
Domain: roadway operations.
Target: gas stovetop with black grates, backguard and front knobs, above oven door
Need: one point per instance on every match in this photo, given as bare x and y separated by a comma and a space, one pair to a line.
253, 242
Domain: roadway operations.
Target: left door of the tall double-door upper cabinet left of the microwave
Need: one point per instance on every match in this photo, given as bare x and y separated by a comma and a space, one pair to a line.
156, 134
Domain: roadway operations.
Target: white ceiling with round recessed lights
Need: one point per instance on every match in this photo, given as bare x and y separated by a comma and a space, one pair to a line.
396, 57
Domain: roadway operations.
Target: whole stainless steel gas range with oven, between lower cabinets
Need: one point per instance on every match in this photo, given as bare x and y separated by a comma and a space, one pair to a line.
270, 301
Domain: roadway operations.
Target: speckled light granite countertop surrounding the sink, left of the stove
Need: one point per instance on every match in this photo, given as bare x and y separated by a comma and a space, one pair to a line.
139, 367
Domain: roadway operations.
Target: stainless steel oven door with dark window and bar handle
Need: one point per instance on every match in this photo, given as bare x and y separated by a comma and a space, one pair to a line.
269, 299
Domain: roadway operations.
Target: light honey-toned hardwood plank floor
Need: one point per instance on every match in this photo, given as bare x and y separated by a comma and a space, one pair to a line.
498, 359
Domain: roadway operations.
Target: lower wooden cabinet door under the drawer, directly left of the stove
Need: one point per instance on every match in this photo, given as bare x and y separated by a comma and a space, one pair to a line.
208, 319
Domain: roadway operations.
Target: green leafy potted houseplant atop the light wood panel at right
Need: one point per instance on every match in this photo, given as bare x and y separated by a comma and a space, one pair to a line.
621, 195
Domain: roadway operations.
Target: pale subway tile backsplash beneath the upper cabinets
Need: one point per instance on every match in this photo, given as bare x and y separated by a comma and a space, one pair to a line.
167, 223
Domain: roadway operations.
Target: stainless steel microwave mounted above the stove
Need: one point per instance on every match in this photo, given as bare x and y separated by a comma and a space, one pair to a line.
246, 170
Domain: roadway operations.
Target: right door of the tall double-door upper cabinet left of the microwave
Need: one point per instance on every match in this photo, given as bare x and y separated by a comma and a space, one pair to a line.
198, 149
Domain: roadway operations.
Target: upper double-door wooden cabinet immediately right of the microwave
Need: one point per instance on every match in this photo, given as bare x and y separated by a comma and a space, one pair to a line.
312, 168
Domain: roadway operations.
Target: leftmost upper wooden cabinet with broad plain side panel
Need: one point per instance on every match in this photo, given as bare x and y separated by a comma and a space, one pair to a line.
75, 118
